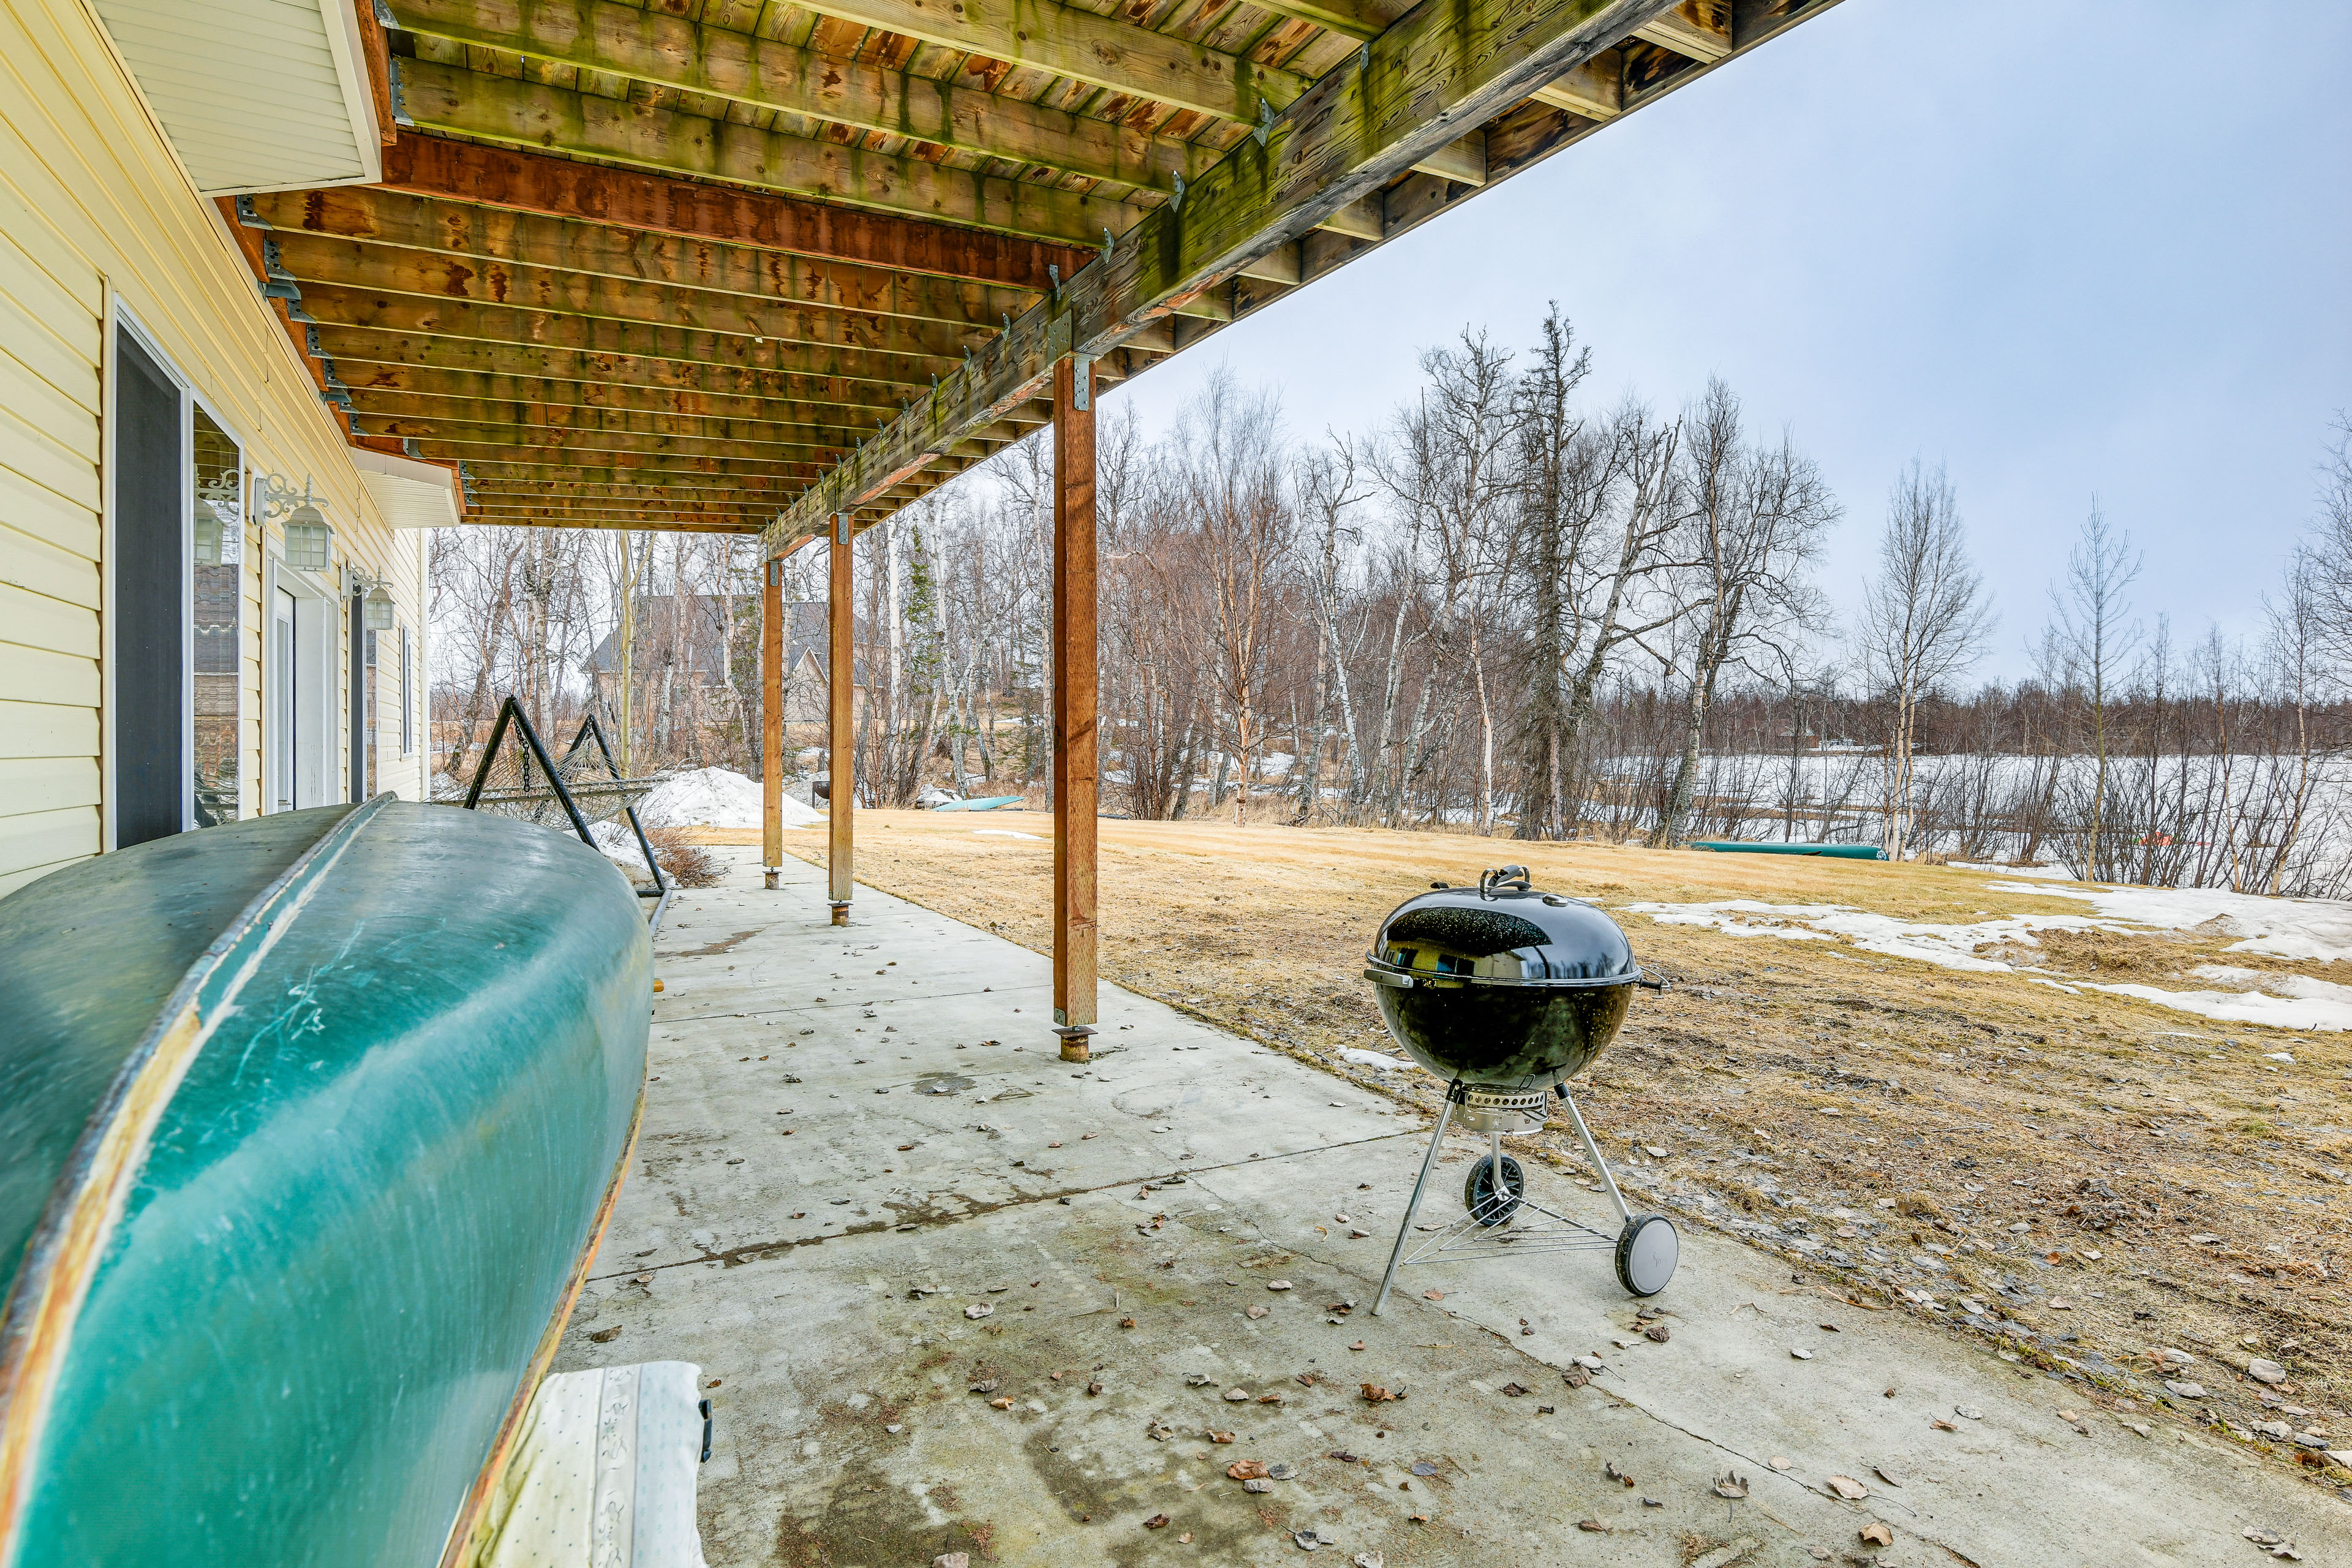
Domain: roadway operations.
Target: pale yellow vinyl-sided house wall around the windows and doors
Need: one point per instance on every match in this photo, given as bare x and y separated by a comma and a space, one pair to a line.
98, 217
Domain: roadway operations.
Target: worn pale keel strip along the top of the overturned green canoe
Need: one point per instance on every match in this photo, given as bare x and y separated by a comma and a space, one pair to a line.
91, 1195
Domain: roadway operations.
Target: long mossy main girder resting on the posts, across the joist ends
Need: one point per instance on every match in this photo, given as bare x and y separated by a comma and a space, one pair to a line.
1408, 95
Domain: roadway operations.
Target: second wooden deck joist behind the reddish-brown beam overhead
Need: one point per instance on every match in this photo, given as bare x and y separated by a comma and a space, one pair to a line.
389, 269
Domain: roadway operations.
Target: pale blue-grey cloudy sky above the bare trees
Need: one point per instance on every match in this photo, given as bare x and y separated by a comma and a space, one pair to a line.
2059, 248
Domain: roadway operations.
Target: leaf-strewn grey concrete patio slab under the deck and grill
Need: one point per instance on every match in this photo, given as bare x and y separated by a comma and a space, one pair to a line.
958, 1296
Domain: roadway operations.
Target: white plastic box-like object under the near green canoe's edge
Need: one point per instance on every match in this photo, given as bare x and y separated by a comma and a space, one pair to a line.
603, 1473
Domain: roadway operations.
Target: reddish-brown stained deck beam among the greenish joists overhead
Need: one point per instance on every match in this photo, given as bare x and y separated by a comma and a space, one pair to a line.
695, 210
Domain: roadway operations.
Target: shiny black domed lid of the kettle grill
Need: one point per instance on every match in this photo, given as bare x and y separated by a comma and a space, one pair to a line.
1504, 932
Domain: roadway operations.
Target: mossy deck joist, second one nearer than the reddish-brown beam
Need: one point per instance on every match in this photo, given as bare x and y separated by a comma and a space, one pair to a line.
766, 74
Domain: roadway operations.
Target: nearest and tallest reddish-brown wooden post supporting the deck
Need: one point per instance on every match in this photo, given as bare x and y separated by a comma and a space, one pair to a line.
1074, 706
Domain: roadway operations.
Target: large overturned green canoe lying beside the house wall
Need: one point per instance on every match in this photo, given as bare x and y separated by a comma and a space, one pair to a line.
312, 1127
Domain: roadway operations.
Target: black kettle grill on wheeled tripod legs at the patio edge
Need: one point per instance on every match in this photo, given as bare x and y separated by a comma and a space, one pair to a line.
1506, 993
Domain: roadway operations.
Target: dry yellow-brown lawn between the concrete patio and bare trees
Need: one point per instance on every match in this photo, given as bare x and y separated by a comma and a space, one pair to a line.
1805, 1090
